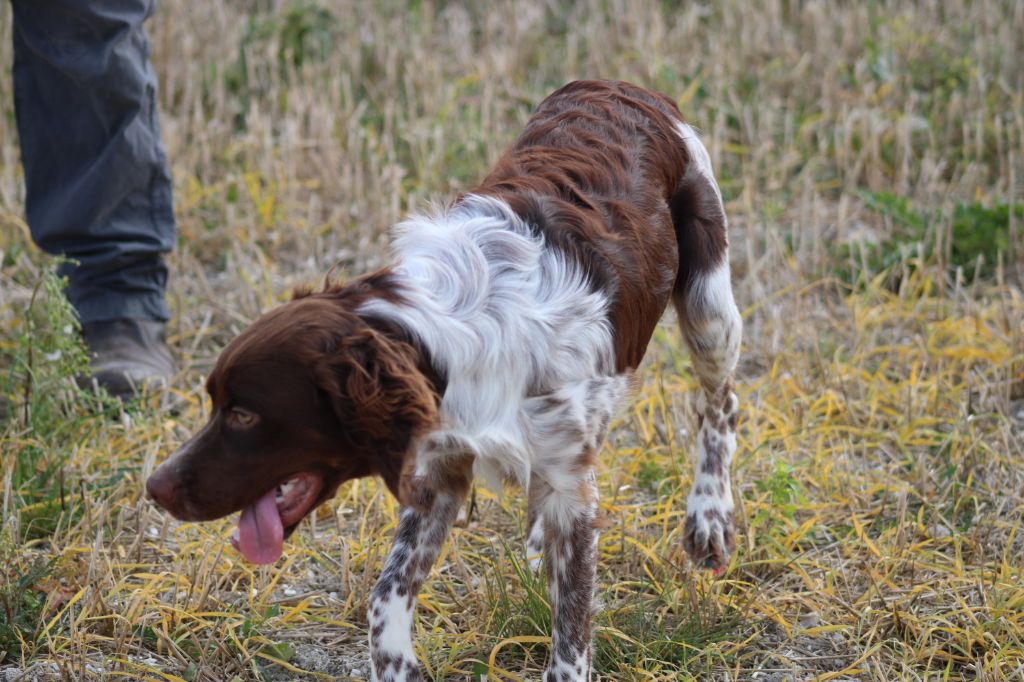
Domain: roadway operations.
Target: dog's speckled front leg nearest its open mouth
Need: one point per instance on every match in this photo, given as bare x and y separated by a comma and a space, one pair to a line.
422, 530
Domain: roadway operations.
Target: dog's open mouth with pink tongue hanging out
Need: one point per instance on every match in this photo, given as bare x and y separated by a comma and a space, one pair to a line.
265, 525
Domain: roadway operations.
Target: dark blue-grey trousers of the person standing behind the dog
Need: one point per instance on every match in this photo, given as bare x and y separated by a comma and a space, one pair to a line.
99, 189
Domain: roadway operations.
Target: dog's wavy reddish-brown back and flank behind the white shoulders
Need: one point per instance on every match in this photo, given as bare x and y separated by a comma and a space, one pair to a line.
604, 172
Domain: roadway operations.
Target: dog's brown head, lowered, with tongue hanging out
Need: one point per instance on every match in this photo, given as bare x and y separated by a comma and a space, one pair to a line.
308, 398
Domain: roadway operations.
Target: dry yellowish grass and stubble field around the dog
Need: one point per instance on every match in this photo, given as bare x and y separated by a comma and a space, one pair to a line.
881, 467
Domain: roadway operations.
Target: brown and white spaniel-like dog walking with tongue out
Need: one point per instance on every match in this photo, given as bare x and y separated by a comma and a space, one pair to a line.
500, 345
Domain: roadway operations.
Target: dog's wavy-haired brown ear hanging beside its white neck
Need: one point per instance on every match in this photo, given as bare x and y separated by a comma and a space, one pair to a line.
383, 402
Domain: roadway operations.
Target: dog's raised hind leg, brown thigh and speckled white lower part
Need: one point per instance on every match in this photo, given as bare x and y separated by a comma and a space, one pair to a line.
712, 328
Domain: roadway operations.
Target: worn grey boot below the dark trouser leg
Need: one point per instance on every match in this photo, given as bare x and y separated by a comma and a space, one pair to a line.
129, 357
